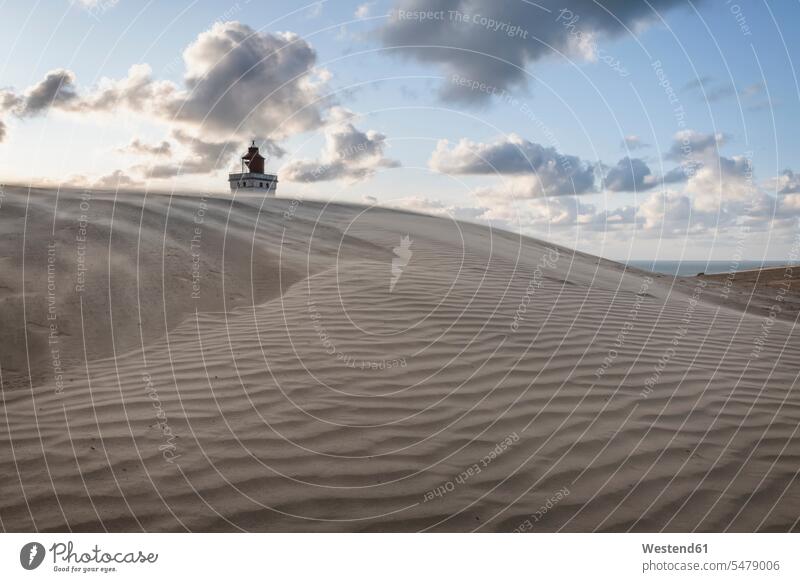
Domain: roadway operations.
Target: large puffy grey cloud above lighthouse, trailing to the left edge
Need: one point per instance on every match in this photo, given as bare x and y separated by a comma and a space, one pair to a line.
238, 82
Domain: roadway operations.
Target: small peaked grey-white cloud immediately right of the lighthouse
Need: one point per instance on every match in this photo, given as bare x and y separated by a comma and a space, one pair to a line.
349, 153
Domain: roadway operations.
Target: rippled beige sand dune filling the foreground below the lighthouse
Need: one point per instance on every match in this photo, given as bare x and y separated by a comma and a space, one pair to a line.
301, 368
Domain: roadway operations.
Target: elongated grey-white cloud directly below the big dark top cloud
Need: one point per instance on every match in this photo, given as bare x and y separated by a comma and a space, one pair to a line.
543, 170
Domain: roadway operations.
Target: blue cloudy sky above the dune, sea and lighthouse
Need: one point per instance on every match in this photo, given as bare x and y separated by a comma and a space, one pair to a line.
633, 130
